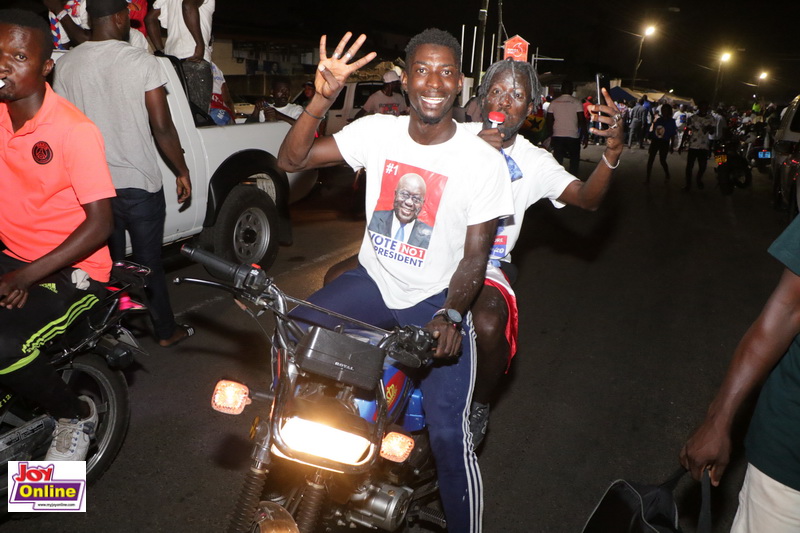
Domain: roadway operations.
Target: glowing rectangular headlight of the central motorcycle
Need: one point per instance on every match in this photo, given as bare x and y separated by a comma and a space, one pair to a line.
320, 440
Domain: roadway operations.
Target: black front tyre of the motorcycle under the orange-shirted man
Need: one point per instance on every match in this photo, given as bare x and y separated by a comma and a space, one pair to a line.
89, 375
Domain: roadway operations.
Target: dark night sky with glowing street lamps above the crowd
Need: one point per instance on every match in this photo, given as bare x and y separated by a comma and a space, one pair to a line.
590, 36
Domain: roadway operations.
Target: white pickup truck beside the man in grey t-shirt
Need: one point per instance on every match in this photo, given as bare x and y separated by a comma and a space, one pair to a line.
240, 198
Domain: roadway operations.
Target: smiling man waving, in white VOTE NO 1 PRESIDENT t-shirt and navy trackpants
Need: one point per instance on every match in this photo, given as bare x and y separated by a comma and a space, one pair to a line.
431, 284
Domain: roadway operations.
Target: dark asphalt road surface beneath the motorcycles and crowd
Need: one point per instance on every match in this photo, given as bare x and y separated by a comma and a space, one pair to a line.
629, 316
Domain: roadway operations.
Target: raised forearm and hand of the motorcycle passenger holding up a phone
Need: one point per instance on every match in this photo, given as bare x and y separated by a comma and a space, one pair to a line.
589, 194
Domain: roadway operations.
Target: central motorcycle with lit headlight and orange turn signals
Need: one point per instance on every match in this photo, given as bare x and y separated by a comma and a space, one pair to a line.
342, 419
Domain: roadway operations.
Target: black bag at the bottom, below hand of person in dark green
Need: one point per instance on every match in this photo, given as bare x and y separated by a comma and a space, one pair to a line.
628, 507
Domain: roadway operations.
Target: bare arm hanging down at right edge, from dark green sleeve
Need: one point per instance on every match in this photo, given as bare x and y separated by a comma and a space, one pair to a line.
762, 346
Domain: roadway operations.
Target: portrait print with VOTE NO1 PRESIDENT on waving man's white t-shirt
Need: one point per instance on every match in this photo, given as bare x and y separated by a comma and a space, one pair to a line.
405, 213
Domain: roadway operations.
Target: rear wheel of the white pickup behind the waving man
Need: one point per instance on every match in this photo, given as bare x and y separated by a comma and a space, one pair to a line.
246, 230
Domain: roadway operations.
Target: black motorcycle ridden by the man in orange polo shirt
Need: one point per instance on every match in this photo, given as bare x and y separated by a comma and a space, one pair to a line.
89, 355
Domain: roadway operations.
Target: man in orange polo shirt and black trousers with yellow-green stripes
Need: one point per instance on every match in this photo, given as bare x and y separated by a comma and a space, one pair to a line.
55, 217
